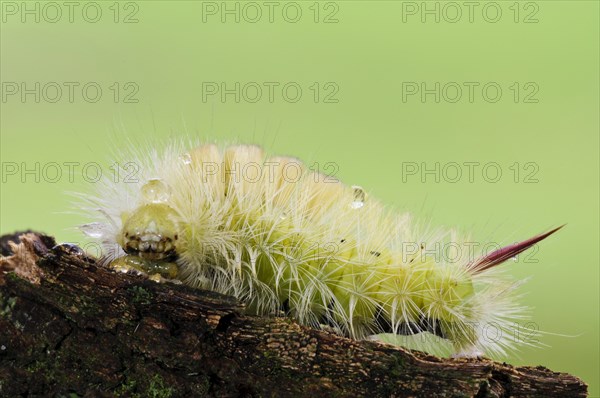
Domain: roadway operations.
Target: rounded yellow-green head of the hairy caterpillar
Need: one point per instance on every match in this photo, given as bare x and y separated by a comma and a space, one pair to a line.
150, 232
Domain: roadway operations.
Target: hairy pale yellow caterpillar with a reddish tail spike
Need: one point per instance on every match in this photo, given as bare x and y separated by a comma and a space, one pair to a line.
279, 236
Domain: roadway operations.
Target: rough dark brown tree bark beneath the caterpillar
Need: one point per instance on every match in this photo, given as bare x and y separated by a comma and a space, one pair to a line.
70, 327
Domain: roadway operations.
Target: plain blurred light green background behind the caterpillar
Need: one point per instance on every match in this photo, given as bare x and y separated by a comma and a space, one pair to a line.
369, 132
